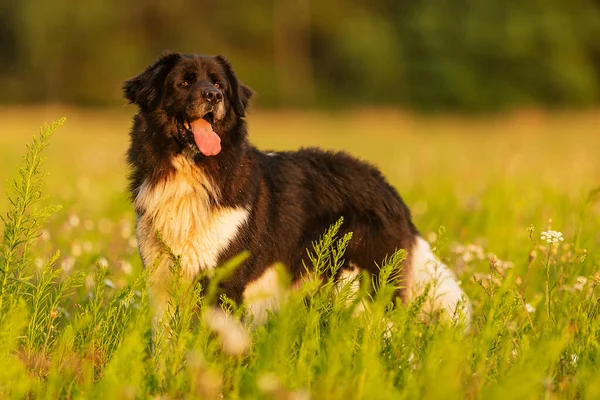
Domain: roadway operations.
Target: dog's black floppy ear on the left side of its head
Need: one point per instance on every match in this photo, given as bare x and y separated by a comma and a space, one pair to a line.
145, 88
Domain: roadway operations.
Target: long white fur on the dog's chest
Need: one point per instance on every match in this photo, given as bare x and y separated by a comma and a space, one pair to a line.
179, 208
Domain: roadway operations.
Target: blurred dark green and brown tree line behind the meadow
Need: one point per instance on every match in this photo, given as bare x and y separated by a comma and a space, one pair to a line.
426, 54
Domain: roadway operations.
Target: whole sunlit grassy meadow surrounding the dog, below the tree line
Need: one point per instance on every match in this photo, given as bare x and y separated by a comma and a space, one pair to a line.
71, 328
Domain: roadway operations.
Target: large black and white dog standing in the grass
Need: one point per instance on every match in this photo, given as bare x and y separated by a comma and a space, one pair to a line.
196, 179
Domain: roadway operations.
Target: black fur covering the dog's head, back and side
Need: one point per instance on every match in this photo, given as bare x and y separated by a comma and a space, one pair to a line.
293, 196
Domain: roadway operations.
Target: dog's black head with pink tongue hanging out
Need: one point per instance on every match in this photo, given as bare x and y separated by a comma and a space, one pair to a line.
198, 94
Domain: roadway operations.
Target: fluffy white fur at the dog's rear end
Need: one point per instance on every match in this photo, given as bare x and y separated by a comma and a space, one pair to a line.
445, 293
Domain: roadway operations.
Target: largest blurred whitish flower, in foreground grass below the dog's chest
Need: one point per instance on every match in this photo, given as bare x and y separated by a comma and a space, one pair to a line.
233, 336
